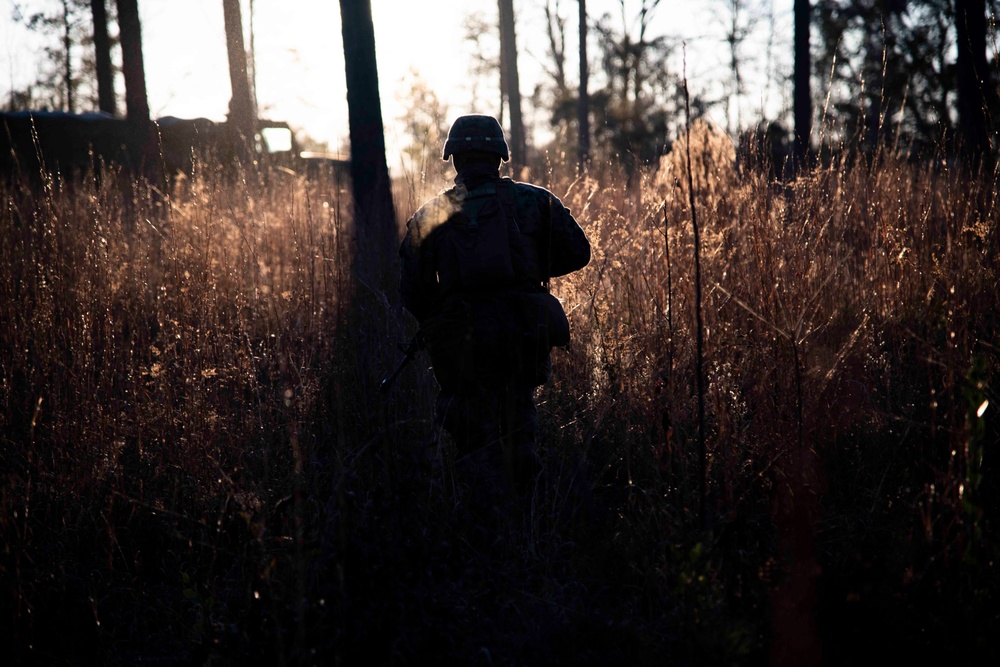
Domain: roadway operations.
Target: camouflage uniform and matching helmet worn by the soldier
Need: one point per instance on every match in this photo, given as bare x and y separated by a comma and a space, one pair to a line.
486, 400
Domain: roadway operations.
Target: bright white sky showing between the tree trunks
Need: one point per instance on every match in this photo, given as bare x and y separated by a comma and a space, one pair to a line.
300, 68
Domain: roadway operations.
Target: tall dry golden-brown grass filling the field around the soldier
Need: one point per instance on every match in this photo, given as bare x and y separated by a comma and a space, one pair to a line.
197, 466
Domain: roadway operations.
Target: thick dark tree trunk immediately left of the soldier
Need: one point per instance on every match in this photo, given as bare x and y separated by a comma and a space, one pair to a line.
374, 213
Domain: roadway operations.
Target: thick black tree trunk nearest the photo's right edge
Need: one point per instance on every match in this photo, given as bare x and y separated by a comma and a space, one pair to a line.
973, 79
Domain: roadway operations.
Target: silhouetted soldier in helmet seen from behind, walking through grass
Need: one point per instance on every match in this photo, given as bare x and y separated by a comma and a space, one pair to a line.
476, 262
